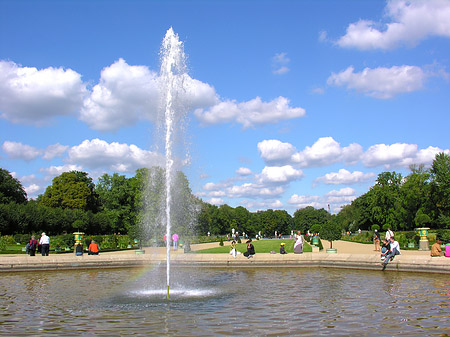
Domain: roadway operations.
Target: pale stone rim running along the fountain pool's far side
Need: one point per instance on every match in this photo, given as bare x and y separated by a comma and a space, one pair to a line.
404, 263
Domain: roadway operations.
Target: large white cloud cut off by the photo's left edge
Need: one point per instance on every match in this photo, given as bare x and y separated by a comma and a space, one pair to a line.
32, 96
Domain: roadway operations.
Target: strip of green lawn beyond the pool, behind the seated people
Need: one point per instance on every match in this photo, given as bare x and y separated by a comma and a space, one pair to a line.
261, 246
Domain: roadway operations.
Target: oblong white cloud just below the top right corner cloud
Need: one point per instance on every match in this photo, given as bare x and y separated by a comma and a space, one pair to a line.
380, 82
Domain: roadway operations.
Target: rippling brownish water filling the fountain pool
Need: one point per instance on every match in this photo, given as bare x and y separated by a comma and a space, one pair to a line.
224, 302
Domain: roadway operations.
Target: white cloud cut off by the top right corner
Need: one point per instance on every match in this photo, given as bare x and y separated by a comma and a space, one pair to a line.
411, 22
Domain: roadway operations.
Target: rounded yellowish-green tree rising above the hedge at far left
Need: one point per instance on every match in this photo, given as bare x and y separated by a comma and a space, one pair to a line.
74, 190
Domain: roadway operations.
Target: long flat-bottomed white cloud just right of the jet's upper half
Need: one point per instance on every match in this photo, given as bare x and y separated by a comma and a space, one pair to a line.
251, 113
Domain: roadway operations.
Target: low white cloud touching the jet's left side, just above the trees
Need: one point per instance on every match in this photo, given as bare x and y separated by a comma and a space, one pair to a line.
114, 156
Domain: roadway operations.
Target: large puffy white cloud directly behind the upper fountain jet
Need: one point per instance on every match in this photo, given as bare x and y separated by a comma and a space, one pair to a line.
126, 94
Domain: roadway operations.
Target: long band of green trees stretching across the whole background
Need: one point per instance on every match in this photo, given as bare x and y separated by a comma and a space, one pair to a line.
116, 204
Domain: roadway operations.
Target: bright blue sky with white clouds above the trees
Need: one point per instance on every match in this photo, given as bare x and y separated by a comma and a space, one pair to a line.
295, 103
